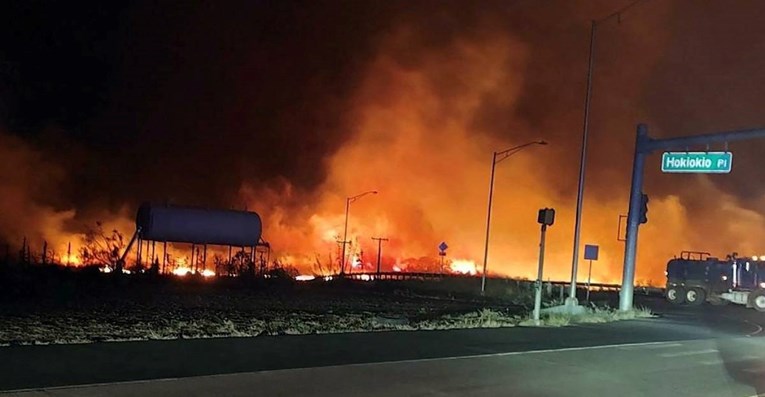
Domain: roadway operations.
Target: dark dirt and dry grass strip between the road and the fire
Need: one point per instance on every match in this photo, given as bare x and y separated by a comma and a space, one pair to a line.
58, 306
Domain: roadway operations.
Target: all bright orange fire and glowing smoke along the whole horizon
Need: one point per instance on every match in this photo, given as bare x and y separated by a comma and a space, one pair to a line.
422, 123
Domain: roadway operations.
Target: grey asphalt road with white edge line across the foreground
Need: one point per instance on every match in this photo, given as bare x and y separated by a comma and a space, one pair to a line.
707, 351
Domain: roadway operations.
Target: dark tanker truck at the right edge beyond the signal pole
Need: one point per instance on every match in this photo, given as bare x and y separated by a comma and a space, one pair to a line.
697, 277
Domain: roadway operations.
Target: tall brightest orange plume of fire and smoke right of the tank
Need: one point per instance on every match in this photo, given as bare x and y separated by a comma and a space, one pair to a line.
423, 133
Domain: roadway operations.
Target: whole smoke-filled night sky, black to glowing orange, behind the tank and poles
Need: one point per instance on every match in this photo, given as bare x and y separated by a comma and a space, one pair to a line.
289, 108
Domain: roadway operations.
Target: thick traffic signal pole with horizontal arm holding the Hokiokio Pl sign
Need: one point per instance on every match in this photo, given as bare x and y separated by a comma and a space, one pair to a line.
645, 145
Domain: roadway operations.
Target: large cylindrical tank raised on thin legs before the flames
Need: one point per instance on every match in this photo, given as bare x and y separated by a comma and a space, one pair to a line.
197, 226
